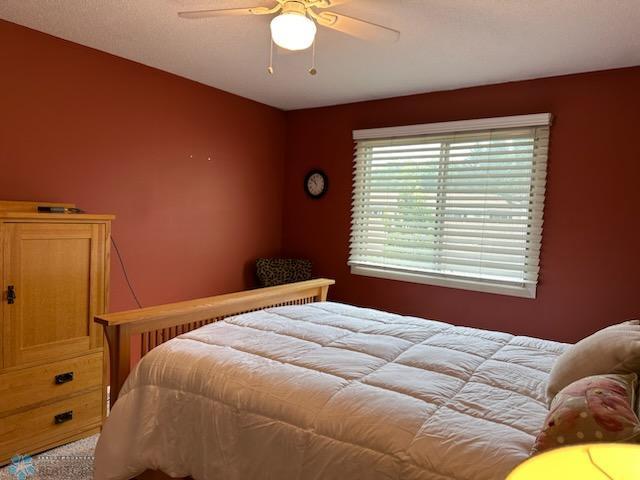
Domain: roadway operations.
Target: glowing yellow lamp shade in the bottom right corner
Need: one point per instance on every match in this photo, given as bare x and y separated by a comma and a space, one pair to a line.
600, 461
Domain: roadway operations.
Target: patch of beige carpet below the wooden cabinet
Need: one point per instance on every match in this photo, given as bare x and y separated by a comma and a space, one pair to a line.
69, 462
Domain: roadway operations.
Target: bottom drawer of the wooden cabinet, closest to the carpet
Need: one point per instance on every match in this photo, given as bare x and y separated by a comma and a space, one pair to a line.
26, 431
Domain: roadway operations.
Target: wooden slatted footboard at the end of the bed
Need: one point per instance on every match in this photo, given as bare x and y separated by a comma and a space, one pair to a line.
155, 325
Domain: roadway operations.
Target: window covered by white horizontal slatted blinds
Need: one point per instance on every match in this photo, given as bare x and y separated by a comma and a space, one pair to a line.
456, 204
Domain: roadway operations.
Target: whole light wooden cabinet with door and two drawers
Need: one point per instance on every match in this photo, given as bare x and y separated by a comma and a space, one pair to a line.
54, 273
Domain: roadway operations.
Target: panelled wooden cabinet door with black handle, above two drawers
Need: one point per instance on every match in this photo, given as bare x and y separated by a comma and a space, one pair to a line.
57, 275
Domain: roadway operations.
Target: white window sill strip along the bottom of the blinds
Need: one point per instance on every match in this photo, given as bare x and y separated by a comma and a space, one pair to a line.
520, 290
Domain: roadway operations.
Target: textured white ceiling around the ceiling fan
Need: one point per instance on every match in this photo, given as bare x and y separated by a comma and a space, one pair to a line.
445, 44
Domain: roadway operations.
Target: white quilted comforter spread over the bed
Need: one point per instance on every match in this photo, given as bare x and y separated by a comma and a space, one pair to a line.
327, 391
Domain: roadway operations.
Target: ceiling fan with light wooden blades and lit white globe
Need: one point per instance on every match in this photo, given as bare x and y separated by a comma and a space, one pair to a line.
294, 26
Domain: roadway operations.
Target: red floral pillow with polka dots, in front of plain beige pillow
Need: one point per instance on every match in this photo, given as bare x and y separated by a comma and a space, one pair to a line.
594, 409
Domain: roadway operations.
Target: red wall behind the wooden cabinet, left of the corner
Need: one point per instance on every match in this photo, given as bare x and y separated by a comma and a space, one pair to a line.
78, 125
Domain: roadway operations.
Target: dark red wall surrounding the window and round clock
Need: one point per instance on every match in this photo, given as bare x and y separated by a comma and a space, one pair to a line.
590, 259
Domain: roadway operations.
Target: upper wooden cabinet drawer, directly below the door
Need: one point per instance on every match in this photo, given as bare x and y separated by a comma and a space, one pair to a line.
46, 383
